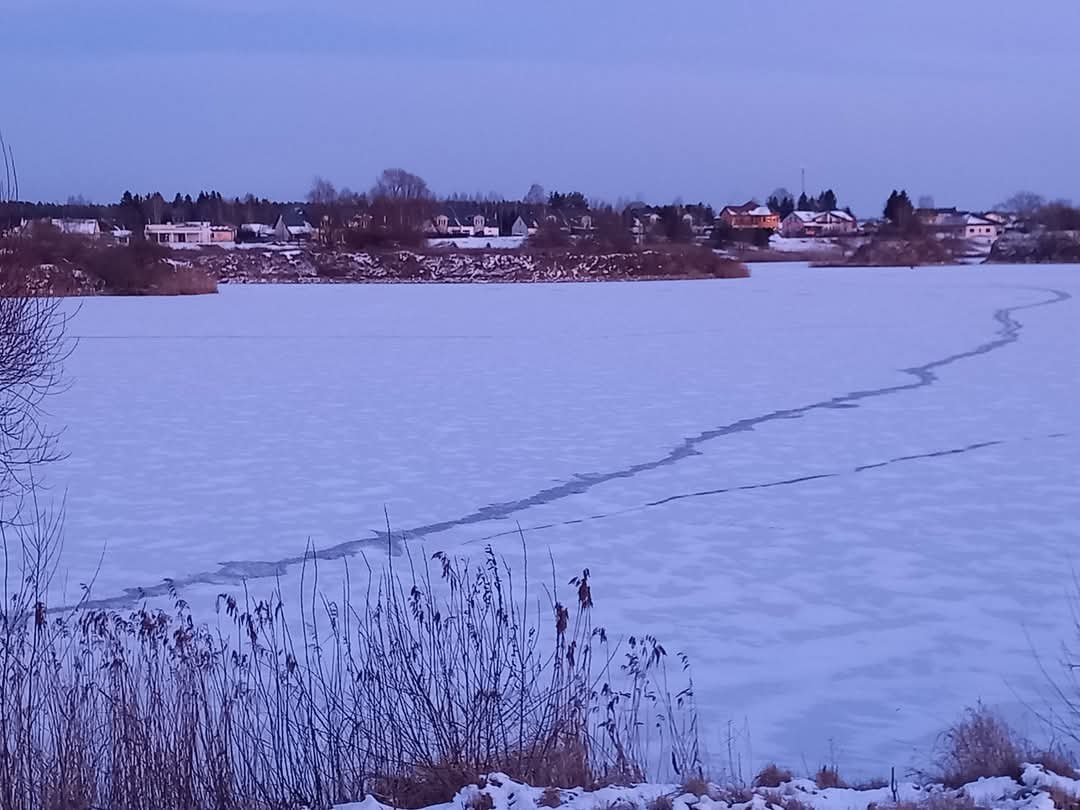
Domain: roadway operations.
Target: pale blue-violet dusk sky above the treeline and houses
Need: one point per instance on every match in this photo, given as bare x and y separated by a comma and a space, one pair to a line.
705, 100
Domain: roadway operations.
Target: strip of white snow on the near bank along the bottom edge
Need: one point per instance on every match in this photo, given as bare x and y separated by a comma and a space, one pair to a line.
498, 792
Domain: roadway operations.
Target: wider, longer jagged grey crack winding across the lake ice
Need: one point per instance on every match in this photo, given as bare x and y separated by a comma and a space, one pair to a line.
925, 375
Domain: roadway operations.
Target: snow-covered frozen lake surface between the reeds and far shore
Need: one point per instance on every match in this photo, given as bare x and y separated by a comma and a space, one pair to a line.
850, 552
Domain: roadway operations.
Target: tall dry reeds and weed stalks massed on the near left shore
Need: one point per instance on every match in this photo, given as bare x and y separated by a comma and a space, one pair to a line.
448, 671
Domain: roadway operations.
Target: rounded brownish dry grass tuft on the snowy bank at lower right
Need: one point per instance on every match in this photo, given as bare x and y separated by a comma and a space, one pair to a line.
980, 746
